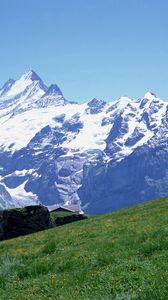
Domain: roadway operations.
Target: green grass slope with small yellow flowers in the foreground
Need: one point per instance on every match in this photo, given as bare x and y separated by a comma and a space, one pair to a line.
122, 255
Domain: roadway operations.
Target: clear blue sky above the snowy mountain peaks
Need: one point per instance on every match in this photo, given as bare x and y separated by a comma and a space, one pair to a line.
90, 48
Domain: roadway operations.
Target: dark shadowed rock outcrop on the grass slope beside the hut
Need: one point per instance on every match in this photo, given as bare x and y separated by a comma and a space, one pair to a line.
31, 219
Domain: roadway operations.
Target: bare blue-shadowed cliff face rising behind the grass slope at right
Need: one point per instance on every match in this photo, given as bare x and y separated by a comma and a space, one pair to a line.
141, 176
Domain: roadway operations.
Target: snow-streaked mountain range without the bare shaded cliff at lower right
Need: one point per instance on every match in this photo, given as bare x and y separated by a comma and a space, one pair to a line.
43, 135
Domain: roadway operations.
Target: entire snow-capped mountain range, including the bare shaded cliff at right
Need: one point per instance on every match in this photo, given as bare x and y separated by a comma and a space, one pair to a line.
101, 155
